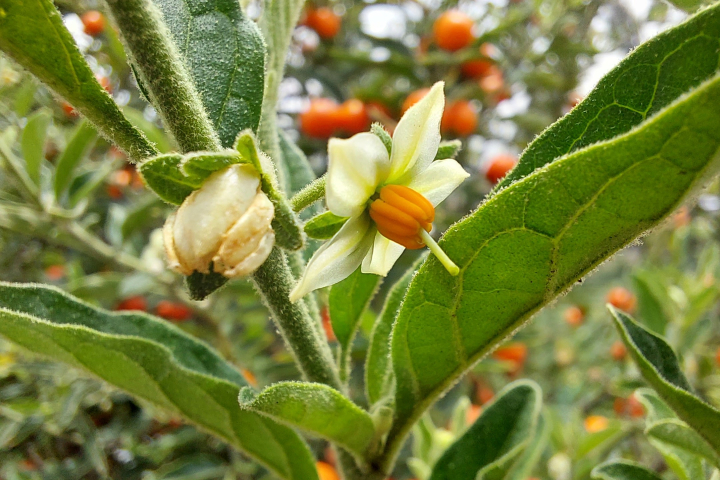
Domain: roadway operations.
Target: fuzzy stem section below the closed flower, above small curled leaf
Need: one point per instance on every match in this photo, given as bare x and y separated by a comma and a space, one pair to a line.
274, 280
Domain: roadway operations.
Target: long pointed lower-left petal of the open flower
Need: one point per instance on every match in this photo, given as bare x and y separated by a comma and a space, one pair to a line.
337, 258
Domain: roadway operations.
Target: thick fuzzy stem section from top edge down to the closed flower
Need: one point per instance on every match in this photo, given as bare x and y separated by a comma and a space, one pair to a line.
163, 74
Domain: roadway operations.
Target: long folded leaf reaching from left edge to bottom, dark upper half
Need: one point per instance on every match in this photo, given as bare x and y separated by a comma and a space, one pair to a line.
153, 360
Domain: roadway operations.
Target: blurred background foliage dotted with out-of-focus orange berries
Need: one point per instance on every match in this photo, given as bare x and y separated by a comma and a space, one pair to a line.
93, 230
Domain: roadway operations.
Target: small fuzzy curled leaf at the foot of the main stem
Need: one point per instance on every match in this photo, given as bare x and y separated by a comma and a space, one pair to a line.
319, 410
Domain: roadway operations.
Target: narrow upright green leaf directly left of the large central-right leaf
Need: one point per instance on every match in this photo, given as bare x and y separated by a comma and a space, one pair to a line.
378, 370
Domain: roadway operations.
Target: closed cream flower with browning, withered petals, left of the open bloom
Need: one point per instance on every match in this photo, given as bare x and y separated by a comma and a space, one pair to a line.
226, 222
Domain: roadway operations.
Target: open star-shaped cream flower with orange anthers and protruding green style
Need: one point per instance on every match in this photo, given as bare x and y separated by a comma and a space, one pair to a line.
386, 197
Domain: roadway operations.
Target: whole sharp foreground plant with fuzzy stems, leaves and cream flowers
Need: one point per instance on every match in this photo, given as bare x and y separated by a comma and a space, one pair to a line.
642, 143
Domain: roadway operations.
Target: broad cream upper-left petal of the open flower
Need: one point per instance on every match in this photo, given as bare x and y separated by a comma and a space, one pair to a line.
355, 168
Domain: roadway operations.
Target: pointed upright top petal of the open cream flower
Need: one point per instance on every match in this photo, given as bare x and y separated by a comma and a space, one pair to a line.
417, 136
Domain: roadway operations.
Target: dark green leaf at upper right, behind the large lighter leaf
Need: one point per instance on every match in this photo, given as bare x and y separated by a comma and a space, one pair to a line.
653, 76
